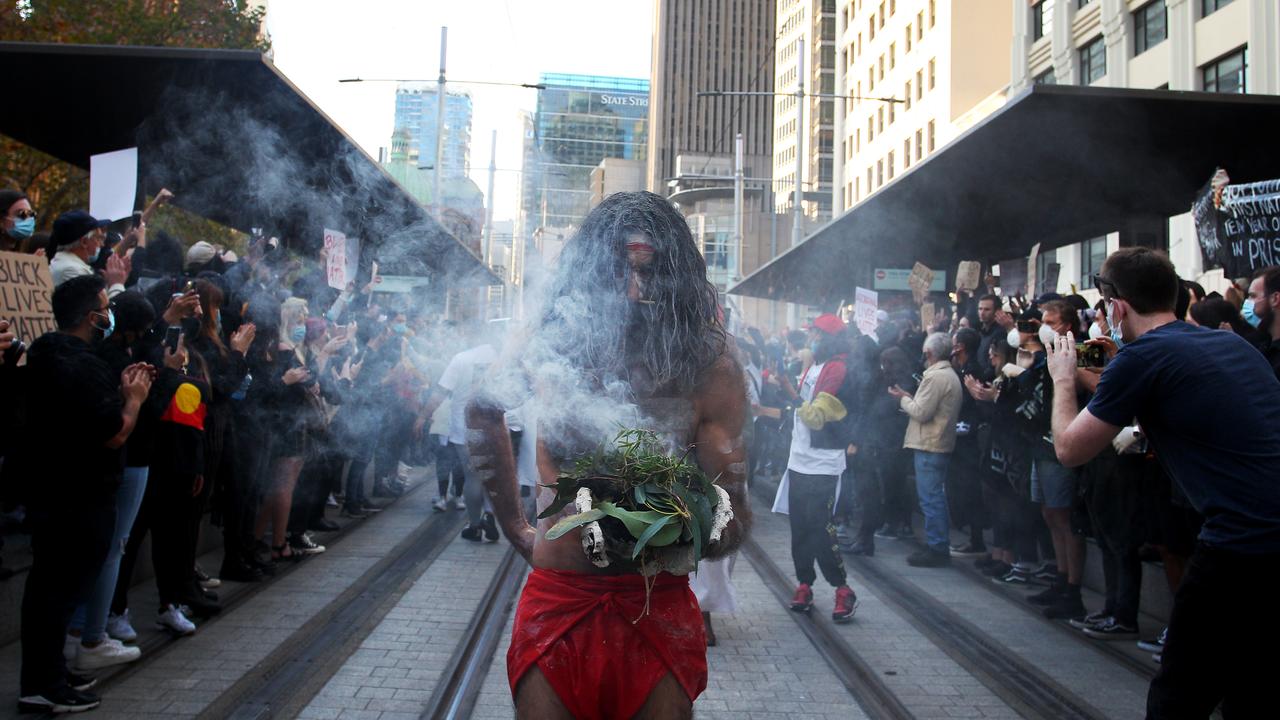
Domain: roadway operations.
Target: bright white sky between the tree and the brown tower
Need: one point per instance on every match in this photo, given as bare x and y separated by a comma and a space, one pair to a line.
318, 43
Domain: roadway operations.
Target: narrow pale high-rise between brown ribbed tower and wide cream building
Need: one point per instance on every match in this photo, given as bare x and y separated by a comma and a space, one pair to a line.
807, 26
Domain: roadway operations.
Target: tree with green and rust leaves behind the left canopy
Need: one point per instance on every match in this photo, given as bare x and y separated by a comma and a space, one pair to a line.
56, 186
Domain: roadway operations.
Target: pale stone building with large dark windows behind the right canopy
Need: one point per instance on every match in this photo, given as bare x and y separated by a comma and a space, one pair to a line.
1190, 45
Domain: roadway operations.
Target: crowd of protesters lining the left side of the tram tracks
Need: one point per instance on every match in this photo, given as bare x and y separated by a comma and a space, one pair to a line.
184, 385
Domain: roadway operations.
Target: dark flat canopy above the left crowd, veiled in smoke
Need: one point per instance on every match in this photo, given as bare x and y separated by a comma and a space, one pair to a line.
235, 140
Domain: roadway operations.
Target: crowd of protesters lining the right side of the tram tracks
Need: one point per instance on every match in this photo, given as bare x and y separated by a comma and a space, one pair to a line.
954, 421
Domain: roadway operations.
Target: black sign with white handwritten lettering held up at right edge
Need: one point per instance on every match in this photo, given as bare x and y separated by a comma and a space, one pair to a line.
1240, 231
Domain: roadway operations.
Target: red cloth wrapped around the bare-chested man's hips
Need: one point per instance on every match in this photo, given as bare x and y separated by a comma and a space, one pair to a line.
602, 654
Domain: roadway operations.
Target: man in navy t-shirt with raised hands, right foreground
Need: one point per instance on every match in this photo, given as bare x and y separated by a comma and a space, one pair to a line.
1210, 407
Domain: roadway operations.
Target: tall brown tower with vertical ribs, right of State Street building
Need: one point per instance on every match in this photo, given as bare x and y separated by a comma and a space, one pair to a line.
712, 45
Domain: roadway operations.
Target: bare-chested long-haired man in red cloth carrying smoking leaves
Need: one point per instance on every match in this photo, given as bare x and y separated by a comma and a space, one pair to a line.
632, 316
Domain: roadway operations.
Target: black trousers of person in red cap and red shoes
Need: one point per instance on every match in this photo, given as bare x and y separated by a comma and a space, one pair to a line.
813, 536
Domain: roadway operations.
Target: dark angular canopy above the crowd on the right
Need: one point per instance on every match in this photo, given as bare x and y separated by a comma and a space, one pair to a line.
1057, 165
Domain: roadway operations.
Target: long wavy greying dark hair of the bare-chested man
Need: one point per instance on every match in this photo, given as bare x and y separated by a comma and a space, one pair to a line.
675, 334
